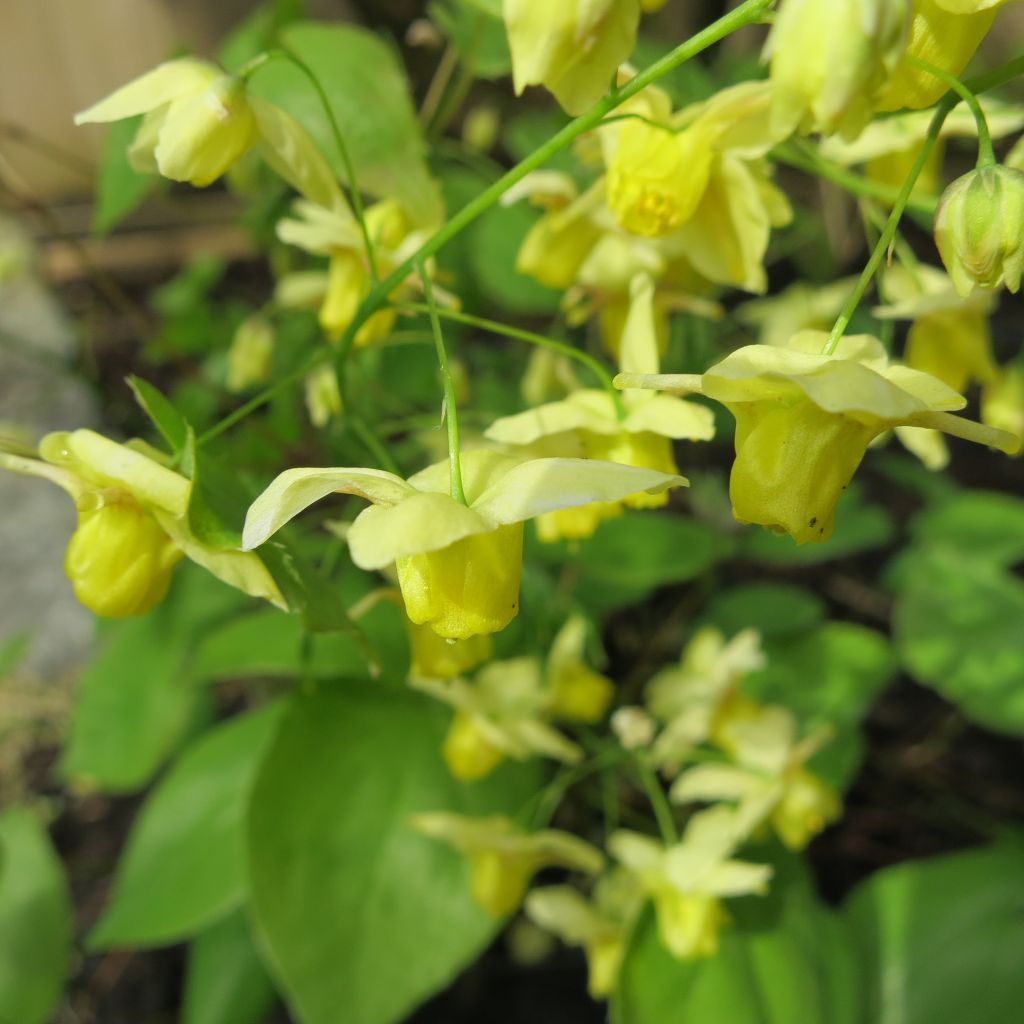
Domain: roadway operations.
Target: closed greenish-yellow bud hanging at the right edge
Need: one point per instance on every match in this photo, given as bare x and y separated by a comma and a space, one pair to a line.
979, 229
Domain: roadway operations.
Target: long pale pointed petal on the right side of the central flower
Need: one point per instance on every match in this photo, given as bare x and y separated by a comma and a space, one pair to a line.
548, 485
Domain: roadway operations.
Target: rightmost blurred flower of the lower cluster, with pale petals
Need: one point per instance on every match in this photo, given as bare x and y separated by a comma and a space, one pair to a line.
769, 779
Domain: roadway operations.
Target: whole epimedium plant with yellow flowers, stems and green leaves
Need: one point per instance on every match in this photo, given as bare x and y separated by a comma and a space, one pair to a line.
434, 745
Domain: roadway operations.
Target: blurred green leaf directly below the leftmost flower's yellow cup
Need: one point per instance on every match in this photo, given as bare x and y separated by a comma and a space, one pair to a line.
136, 700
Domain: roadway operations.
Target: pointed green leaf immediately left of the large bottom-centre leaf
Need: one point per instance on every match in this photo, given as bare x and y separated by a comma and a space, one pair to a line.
184, 868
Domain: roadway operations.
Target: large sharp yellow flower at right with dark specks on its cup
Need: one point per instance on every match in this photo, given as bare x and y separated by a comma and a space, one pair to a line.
804, 421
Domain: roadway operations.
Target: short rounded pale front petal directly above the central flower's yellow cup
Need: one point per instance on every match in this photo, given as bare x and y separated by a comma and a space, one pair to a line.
421, 523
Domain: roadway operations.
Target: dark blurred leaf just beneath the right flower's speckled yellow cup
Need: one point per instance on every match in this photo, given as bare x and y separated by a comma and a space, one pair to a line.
860, 527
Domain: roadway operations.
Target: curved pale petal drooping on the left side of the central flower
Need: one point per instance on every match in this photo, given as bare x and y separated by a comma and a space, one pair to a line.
296, 490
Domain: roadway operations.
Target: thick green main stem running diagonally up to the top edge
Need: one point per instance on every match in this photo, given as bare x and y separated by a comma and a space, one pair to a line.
746, 14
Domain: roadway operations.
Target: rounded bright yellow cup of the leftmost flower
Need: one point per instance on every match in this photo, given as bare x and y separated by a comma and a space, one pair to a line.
119, 561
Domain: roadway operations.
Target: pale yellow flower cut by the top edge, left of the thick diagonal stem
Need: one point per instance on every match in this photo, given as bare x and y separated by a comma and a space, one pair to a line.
573, 50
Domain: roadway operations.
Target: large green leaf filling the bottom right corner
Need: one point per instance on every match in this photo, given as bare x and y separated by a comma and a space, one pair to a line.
942, 938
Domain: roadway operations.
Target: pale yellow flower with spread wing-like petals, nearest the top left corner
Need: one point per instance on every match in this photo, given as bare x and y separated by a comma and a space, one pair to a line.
200, 121
